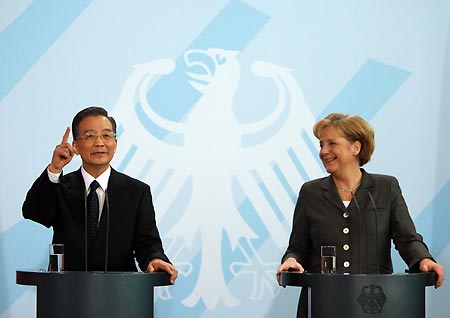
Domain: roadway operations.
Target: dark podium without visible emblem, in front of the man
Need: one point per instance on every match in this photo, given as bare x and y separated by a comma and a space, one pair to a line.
93, 294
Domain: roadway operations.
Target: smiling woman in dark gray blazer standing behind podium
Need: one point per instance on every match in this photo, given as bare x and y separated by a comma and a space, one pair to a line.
357, 212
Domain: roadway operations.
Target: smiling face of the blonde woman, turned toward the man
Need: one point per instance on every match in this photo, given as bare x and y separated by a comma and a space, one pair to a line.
337, 153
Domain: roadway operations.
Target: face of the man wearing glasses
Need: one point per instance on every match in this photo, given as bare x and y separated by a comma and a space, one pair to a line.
96, 144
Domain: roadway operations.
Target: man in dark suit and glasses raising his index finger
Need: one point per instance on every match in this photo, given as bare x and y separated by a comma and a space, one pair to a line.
126, 217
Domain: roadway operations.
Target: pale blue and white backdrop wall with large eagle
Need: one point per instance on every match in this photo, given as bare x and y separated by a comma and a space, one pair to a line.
215, 102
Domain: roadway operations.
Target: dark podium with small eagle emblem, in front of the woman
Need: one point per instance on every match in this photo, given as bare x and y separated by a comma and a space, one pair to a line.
377, 295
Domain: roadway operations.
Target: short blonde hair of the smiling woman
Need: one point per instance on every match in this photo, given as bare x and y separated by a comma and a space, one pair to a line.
354, 128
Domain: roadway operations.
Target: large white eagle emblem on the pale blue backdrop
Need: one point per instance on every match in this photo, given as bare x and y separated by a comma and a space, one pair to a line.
192, 168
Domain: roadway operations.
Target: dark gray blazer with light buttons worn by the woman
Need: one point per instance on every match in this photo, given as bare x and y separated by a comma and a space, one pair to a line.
362, 233
